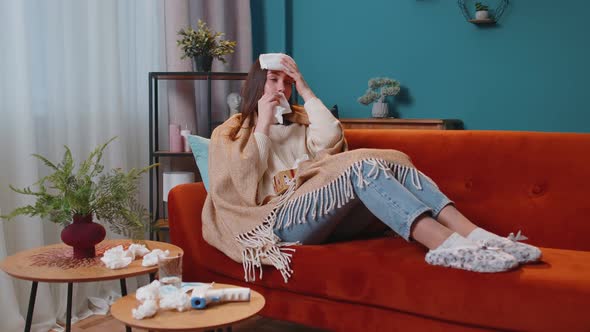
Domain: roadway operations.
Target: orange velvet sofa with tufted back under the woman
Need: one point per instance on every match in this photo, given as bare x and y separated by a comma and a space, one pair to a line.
504, 181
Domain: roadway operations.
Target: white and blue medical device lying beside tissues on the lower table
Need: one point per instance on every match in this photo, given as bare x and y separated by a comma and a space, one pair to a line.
203, 296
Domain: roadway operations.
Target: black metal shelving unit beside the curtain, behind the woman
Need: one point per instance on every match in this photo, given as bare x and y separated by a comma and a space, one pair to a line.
155, 152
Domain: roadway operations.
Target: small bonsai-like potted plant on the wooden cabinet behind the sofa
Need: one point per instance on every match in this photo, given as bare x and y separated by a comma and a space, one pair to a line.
379, 89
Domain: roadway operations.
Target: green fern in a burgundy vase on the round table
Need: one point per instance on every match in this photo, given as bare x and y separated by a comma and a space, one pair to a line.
72, 199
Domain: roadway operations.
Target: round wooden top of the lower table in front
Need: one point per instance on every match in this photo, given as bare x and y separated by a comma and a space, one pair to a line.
213, 316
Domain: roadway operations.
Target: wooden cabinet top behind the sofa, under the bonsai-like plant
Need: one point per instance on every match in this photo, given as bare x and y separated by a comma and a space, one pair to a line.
392, 123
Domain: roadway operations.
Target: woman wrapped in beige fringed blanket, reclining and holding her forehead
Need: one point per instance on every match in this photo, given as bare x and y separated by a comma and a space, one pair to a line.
254, 216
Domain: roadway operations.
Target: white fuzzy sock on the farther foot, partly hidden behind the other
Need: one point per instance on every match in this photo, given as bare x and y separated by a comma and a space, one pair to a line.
525, 253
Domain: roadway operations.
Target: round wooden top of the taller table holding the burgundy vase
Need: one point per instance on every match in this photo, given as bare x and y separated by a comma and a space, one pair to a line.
55, 263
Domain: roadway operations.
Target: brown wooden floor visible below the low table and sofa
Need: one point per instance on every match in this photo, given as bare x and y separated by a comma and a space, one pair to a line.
259, 324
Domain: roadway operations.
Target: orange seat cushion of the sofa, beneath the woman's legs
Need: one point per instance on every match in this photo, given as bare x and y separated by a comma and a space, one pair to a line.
391, 273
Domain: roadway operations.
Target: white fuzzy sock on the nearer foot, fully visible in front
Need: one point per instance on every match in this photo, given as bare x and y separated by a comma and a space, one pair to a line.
461, 253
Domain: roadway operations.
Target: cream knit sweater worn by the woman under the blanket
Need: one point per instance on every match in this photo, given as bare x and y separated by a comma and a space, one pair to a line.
286, 146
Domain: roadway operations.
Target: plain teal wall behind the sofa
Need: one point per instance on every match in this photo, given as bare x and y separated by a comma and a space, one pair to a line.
529, 72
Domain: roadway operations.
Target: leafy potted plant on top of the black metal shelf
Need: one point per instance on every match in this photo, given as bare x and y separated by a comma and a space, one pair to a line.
203, 45
